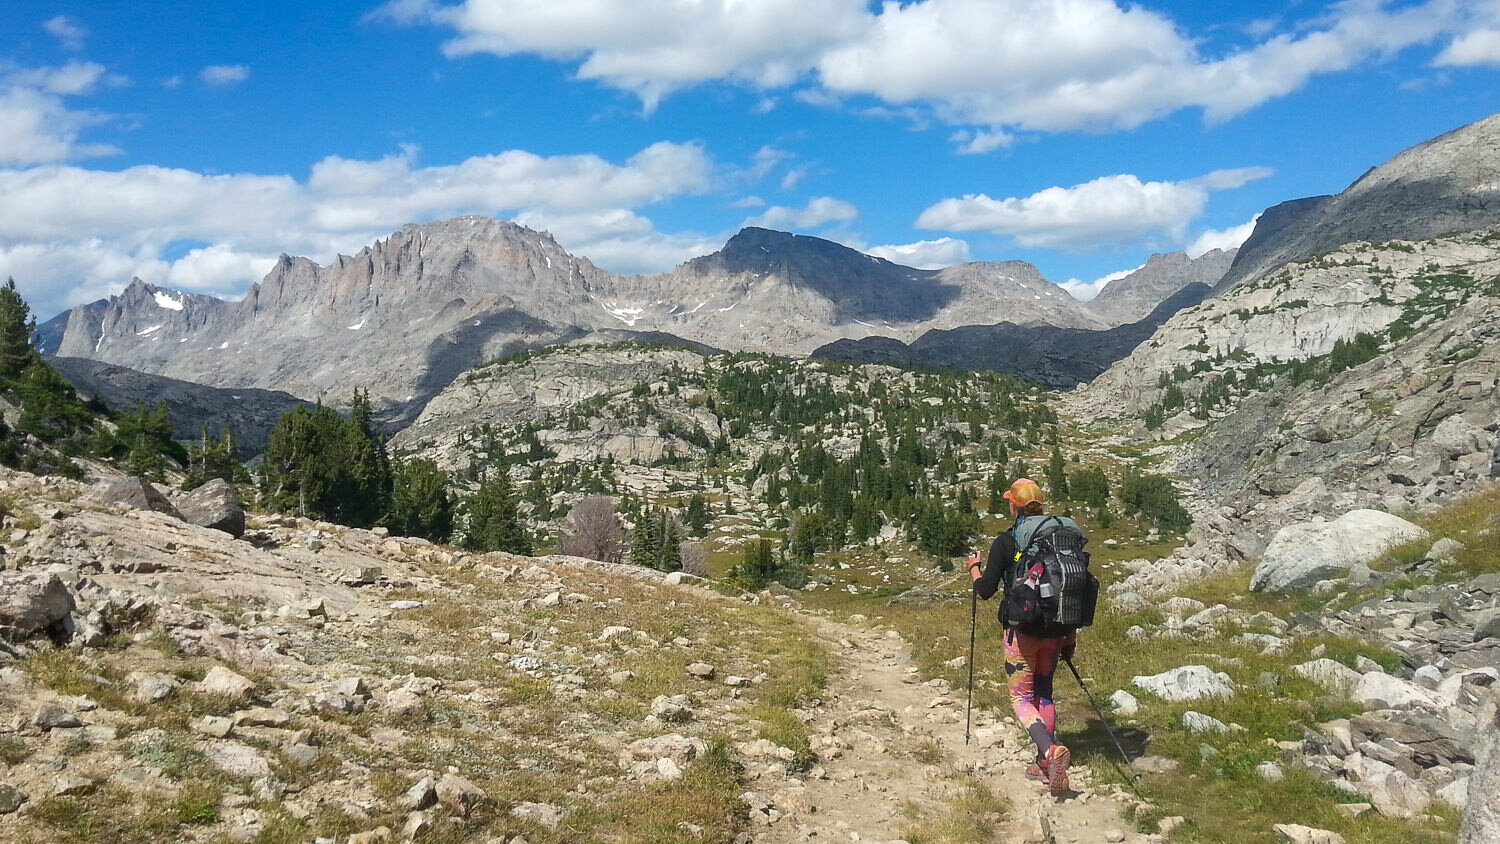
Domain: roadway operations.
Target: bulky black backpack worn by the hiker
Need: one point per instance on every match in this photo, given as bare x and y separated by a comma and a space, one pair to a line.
1051, 590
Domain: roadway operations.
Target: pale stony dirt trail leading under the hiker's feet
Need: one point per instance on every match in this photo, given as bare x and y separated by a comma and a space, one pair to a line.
878, 732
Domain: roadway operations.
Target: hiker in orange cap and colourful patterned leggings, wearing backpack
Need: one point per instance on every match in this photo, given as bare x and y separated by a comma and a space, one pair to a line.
1034, 647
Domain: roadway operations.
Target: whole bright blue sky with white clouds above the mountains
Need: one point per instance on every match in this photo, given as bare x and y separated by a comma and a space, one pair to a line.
193, 143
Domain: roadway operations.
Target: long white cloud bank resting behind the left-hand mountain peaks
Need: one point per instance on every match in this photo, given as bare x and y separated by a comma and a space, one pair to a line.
235, 226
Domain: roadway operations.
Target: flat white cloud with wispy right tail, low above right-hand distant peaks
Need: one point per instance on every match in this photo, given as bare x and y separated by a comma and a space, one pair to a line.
1114, 211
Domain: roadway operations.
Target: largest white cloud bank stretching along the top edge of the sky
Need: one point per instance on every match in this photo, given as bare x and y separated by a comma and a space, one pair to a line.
992, 65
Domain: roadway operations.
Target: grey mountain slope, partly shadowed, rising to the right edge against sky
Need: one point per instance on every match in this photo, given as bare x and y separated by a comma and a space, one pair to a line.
1447, 185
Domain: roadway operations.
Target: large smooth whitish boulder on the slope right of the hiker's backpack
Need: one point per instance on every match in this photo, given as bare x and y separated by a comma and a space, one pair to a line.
1301, 555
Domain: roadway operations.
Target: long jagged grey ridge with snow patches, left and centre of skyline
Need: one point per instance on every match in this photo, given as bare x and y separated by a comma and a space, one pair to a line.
412, 313
